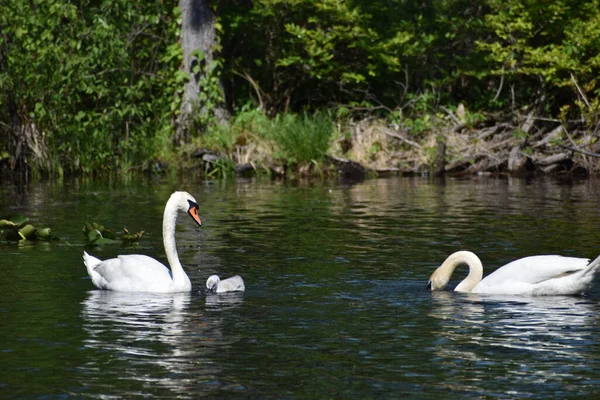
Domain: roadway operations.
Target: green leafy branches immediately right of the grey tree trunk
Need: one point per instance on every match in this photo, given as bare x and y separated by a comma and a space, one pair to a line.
308, 49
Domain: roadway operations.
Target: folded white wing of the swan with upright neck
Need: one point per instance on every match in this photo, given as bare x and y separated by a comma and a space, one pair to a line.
134, 272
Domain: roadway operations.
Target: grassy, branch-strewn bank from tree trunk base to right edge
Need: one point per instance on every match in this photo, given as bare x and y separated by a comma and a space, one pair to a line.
448, 141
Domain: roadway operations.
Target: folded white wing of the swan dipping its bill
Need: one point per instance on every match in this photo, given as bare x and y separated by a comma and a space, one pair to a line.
530, 271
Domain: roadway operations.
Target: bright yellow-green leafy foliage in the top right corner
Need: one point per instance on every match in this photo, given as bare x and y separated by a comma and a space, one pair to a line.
547, 49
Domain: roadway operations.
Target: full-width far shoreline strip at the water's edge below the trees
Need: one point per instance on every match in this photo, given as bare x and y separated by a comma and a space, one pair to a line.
375, 147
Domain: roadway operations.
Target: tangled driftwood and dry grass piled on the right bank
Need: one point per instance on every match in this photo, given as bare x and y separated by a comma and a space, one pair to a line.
527, 145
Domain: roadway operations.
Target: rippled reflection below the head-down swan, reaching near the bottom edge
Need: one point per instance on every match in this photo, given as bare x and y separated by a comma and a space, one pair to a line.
524, 340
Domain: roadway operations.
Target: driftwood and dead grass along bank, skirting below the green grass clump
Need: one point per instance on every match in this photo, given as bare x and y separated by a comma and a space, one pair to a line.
526, 145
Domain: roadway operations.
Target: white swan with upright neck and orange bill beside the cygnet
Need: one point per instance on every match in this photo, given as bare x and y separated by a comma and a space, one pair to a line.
140, 273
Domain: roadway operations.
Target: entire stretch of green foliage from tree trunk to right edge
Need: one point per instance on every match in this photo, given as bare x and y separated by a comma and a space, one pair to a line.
379, 55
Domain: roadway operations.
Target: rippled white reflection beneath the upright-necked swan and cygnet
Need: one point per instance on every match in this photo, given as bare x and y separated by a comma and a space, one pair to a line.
138, 333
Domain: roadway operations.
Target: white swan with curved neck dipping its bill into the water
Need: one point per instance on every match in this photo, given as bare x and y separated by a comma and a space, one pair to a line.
536, 275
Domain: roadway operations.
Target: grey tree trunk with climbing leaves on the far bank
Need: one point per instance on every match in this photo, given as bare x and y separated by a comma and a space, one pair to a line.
198, 35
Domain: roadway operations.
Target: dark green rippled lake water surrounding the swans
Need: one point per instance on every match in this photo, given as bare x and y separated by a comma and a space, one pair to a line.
336, 303
